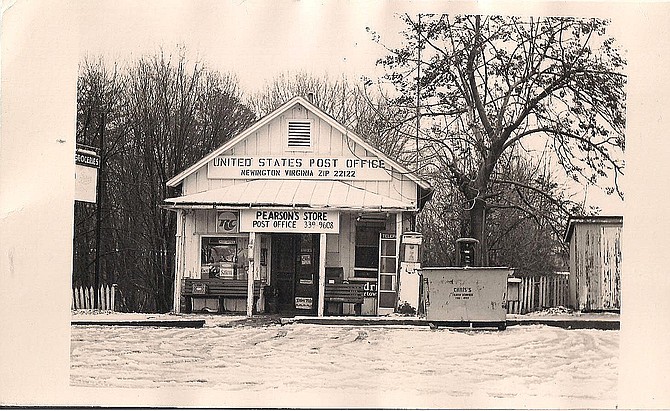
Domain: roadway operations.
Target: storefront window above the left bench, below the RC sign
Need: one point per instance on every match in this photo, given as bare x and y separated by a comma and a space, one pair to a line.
224, 257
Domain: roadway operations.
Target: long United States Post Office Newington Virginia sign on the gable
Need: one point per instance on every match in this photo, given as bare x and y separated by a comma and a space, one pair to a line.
310, 168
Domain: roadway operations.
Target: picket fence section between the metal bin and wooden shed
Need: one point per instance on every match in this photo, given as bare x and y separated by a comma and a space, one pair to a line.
539, 292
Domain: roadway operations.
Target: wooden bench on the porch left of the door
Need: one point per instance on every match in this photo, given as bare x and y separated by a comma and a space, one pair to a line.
216, 288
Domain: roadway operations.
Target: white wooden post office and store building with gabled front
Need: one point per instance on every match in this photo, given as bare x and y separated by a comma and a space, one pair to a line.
300, 213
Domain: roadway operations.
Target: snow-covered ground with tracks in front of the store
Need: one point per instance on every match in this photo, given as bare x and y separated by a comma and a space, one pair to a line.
273, 365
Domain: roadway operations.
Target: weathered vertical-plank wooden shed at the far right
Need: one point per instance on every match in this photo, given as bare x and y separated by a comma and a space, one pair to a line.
595, 262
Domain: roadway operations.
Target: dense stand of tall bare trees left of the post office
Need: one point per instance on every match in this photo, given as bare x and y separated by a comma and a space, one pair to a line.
165, 115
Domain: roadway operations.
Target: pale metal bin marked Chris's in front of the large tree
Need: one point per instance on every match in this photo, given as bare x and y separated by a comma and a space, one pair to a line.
466, 296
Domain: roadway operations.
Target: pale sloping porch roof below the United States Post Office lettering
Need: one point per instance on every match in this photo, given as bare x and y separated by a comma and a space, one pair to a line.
290, 193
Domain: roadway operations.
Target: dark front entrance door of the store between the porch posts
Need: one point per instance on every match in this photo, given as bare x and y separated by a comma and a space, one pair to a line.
295, 265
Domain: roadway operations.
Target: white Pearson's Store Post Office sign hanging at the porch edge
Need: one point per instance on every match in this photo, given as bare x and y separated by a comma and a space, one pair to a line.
290, 221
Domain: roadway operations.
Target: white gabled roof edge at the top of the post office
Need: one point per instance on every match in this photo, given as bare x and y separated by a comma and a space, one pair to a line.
176, 180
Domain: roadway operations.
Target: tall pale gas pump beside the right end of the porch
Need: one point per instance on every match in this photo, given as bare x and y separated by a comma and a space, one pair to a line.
410, 271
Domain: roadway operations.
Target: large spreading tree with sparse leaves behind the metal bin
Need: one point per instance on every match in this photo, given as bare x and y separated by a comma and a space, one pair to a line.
490, 85
